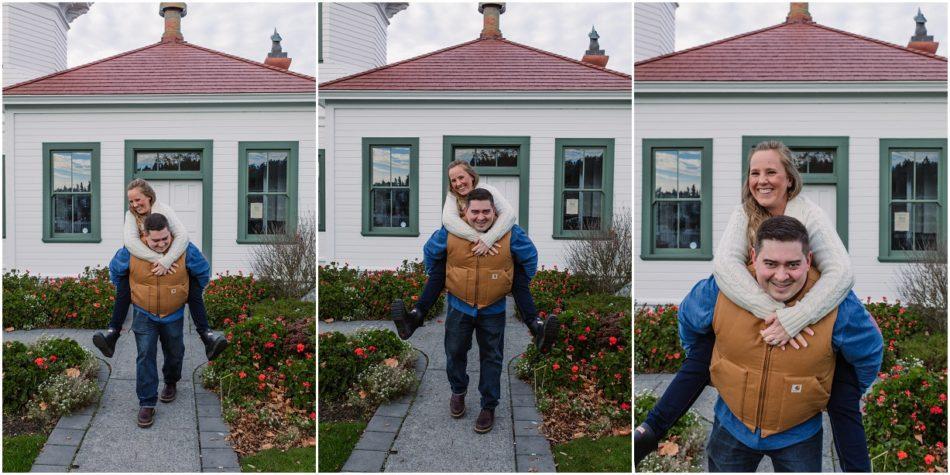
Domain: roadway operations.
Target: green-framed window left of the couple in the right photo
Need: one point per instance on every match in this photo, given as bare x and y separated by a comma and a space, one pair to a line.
677, 199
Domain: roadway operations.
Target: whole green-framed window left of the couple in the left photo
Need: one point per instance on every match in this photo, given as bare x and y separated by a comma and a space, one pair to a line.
71, 192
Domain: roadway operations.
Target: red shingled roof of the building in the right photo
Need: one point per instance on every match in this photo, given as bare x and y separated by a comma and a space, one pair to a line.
796, 51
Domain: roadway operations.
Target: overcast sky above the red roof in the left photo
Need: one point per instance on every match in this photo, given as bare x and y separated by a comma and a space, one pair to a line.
240, 29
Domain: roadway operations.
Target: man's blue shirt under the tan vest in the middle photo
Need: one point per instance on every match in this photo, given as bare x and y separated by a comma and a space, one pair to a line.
523, 253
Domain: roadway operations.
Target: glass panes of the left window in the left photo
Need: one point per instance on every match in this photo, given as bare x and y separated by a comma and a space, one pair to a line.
72, 192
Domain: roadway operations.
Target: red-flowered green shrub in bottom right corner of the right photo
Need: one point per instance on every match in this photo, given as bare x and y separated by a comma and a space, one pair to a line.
906, 419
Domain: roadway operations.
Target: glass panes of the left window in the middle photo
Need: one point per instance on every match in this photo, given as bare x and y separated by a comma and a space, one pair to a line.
389, 190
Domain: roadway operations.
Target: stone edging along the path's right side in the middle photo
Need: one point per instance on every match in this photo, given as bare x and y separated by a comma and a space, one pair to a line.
532, 449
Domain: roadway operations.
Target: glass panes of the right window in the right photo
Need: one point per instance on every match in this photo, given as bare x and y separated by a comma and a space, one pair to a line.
914, 208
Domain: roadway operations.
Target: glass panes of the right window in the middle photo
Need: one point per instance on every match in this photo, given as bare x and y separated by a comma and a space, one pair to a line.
583, 189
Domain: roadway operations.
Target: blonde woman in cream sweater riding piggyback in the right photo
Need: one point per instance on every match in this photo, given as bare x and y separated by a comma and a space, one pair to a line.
772, 188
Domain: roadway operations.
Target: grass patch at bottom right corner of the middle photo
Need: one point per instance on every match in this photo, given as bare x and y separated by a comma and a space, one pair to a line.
607, 454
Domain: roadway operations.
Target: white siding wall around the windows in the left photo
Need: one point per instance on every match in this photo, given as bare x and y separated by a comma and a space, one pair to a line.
27, 130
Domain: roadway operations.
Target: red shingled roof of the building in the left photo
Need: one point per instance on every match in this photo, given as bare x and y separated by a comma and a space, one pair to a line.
167, 68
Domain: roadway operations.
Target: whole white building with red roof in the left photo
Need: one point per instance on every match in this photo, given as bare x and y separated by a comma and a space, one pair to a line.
228, 142
